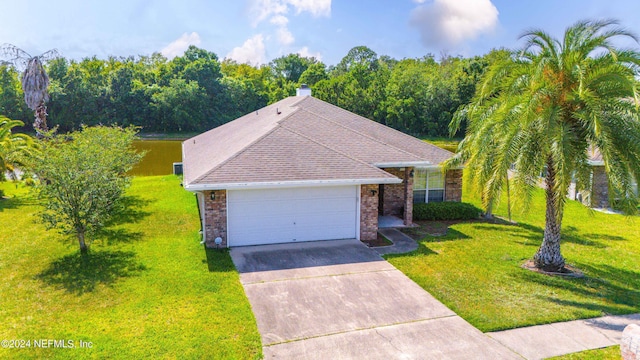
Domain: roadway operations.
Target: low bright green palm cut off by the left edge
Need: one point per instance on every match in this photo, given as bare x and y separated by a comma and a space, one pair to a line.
14, 148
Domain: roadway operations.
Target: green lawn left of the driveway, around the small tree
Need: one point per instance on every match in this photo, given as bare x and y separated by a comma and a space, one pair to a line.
147, 290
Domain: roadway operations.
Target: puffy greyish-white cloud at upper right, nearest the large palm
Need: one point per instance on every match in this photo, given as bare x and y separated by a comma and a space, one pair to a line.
451, 22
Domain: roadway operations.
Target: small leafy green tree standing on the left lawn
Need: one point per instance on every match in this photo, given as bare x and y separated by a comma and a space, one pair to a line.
83, 177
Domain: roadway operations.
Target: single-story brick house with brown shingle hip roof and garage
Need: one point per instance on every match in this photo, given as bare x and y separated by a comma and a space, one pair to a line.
302, 169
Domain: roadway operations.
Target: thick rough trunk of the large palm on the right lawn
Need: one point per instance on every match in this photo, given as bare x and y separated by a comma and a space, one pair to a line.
548, 257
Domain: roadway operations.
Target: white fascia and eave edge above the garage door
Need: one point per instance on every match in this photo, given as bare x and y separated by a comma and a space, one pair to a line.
289, 184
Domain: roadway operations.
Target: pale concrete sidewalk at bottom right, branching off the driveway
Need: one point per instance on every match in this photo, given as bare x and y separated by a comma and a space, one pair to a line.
543, 341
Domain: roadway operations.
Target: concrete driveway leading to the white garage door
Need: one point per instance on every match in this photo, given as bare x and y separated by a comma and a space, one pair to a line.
341, 300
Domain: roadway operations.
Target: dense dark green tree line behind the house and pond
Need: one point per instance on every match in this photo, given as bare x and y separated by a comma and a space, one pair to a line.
197, 91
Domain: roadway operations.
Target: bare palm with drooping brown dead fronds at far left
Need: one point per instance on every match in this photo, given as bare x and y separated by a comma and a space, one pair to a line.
35, 82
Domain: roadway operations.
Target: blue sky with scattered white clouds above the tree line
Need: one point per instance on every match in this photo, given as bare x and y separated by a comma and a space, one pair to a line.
257, 31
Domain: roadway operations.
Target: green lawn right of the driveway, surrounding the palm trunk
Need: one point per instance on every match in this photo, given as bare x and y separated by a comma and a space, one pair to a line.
475, 269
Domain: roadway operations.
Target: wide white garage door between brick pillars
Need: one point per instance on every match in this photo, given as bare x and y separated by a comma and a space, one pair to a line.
289, 215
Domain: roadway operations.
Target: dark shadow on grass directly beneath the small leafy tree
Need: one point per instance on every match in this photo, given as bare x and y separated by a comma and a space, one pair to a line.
79, 274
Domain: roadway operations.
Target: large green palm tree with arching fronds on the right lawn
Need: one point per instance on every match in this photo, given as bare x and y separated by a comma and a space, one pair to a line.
542, 108
